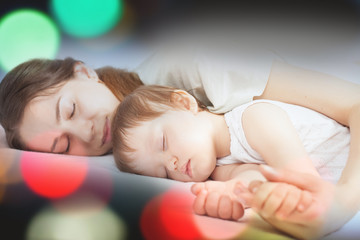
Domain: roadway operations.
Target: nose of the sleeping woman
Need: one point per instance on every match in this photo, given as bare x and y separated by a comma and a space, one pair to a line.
83, 129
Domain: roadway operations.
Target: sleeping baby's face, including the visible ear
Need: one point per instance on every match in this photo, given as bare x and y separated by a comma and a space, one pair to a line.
176, 145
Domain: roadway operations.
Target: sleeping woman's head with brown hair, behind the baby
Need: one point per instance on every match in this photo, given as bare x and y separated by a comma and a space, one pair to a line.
62, 116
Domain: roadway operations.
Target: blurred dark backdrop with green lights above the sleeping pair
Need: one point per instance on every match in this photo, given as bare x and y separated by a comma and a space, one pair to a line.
123, 33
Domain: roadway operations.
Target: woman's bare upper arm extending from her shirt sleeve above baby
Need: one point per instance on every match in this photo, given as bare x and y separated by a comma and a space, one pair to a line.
327, 94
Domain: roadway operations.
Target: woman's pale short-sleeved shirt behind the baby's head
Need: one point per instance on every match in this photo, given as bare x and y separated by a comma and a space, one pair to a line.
221, 80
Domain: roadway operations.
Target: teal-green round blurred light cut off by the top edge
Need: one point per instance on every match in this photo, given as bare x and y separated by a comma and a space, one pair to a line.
87, 18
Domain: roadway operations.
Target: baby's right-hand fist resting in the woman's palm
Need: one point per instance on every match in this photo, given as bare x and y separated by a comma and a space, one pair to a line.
277, 200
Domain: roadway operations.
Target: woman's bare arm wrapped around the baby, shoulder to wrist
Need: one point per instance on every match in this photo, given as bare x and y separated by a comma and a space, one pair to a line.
339, 100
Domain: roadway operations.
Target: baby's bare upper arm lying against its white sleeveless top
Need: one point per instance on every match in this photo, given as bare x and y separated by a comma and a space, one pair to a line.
270, 132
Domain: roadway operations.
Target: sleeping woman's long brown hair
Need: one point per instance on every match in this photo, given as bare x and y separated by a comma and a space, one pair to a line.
41, 76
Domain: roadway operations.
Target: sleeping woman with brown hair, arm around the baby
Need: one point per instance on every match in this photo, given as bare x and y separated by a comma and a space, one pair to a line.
62, 106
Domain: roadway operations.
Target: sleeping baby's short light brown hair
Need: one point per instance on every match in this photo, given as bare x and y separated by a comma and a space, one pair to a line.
143, 104
